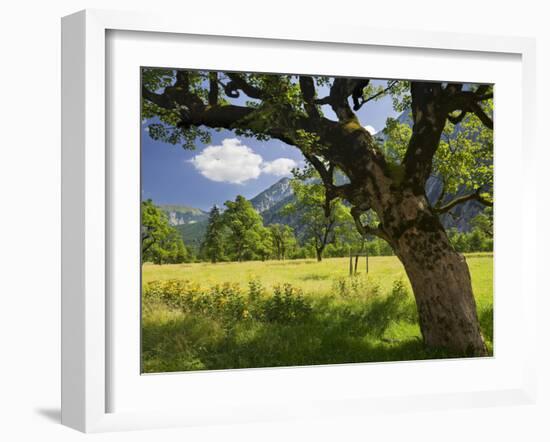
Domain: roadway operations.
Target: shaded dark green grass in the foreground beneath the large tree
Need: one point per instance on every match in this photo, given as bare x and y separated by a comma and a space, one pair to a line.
334, 333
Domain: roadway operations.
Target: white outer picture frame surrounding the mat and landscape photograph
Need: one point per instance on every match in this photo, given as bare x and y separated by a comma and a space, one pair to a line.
86, 315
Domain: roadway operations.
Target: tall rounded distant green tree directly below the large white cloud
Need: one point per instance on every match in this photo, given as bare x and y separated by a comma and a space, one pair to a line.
246, 231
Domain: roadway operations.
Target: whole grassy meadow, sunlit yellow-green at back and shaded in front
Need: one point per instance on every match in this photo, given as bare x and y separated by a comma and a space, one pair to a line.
204, 316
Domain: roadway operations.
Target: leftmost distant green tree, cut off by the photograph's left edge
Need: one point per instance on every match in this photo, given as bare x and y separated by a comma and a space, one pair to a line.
160, 242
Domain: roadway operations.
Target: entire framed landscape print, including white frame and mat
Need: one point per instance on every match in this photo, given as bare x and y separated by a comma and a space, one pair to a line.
247, 218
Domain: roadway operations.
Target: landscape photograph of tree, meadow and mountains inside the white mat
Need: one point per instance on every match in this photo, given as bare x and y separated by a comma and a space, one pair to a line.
293, 219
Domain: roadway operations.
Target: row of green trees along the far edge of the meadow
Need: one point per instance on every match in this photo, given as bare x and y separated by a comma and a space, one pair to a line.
238, 233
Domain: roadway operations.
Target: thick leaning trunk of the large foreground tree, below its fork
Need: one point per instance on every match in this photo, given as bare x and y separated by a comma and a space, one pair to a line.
440, 279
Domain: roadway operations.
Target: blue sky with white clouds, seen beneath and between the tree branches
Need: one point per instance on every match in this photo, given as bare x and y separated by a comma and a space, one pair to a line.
229, 165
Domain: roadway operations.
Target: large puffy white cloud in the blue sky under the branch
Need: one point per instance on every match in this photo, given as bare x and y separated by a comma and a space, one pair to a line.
233, 162
